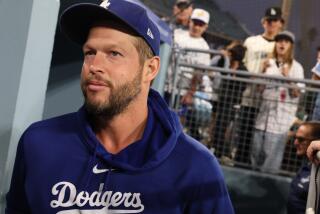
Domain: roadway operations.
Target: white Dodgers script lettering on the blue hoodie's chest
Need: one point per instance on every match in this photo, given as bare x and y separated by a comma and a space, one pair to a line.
67, 197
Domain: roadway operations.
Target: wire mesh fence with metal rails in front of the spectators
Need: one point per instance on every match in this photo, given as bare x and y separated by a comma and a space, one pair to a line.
247, 120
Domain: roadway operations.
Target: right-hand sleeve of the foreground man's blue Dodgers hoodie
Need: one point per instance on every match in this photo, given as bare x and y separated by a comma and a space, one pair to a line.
211, 196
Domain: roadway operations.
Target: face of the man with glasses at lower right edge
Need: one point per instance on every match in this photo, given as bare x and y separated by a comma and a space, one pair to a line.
302, 140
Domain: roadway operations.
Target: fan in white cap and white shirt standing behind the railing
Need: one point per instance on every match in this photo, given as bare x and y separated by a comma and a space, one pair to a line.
193, 39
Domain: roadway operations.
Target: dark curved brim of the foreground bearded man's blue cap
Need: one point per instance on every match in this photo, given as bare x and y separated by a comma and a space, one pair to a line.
77, 20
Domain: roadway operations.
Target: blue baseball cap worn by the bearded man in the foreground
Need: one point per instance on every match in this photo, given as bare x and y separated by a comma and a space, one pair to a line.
77, 20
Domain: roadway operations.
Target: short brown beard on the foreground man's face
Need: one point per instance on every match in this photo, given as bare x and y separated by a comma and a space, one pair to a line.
100, 114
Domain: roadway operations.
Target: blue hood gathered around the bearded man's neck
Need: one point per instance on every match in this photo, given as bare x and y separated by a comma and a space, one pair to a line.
159, 139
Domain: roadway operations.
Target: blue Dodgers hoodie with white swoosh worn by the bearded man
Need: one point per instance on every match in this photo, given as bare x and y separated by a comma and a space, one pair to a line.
62, 168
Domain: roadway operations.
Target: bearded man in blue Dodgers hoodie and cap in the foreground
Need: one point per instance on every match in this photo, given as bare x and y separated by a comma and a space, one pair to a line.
124, 150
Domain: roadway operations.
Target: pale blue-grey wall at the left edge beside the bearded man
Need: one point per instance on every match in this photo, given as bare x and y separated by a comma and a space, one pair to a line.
26, 41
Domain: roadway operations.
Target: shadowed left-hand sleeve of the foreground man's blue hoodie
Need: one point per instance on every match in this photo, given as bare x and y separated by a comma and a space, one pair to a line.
16, 198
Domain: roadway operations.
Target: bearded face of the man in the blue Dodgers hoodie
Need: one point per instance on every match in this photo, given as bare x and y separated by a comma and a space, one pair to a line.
111, 73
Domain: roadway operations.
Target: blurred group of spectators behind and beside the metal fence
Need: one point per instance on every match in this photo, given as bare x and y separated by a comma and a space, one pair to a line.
254, 104
